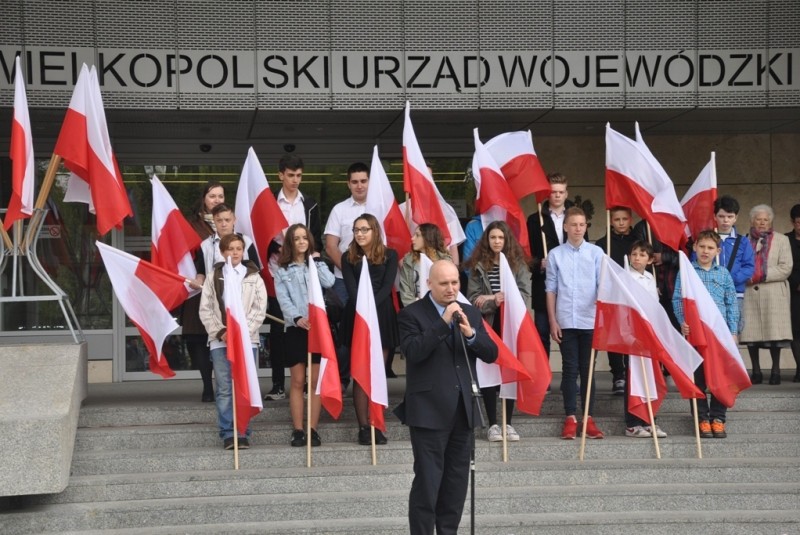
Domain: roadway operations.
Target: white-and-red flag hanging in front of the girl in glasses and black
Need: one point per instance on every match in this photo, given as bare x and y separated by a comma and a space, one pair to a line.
366, 353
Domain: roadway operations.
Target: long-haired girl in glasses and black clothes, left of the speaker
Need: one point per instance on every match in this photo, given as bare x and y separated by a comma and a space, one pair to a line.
382, 261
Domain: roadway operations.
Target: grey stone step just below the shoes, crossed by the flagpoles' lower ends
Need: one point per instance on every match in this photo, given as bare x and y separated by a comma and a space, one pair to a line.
399, 452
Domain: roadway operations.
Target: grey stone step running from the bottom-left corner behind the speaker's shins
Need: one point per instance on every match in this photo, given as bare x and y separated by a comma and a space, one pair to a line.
642, 498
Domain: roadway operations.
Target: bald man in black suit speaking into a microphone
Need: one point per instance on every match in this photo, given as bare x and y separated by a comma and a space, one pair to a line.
438, 401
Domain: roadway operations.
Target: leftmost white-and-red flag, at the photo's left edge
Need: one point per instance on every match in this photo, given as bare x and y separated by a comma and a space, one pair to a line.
20, 206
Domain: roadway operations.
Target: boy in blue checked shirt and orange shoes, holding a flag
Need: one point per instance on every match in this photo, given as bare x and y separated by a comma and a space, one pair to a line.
720, 285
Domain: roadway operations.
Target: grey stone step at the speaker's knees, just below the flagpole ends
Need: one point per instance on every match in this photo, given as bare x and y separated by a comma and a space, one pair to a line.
555, 474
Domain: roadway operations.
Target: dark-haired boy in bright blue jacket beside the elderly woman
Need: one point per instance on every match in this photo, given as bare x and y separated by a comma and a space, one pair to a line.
734, 253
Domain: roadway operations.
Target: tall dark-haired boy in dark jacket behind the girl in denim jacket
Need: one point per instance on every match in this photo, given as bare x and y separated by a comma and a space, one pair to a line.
296, 208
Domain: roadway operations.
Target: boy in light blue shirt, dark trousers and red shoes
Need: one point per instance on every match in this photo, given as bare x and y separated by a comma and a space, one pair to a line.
573, 272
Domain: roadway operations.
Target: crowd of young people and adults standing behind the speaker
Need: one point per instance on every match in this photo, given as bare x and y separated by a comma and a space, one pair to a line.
754, 279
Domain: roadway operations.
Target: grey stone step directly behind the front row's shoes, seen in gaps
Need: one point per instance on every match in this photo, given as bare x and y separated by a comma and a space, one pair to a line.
278, 432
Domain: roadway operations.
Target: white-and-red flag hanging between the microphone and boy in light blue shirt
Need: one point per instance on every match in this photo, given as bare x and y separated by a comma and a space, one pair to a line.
520, 334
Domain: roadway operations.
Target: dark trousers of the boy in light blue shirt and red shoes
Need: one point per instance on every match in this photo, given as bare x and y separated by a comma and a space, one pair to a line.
576, 350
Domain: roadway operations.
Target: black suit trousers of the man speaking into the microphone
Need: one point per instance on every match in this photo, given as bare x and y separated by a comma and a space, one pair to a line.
441, 476
